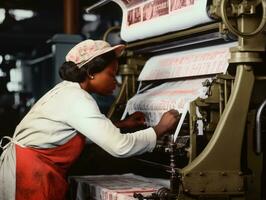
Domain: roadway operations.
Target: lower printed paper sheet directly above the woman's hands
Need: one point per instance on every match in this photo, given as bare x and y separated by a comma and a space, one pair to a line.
171, 95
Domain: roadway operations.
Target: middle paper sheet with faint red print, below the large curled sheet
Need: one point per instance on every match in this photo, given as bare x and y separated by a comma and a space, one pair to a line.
196, 62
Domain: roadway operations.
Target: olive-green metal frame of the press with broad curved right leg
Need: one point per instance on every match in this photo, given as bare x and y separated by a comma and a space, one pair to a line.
230, 165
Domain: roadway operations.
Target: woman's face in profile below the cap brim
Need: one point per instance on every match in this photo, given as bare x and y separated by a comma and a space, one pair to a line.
104, 82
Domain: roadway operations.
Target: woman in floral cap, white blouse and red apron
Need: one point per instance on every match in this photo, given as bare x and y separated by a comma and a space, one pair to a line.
52, 135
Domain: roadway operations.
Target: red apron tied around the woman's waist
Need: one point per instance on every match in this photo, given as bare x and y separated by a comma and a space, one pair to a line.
41, 173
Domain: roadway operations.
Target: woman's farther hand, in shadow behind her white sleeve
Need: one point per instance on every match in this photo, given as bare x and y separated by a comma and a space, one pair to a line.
135, 120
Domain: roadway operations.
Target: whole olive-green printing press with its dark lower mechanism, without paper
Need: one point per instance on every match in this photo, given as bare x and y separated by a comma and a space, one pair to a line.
224, 158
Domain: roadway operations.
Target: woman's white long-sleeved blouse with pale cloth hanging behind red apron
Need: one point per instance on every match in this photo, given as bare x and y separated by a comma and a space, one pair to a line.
56, 118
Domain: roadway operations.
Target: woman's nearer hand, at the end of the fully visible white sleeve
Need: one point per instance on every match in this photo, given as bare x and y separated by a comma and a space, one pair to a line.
167, 123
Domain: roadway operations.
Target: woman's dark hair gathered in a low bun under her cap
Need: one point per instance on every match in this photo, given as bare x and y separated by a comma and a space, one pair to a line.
69, 70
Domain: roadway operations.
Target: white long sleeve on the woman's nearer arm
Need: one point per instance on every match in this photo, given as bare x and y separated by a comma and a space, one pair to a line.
86, 118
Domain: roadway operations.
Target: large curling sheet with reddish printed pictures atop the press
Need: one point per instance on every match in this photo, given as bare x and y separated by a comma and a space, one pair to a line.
147, 18
